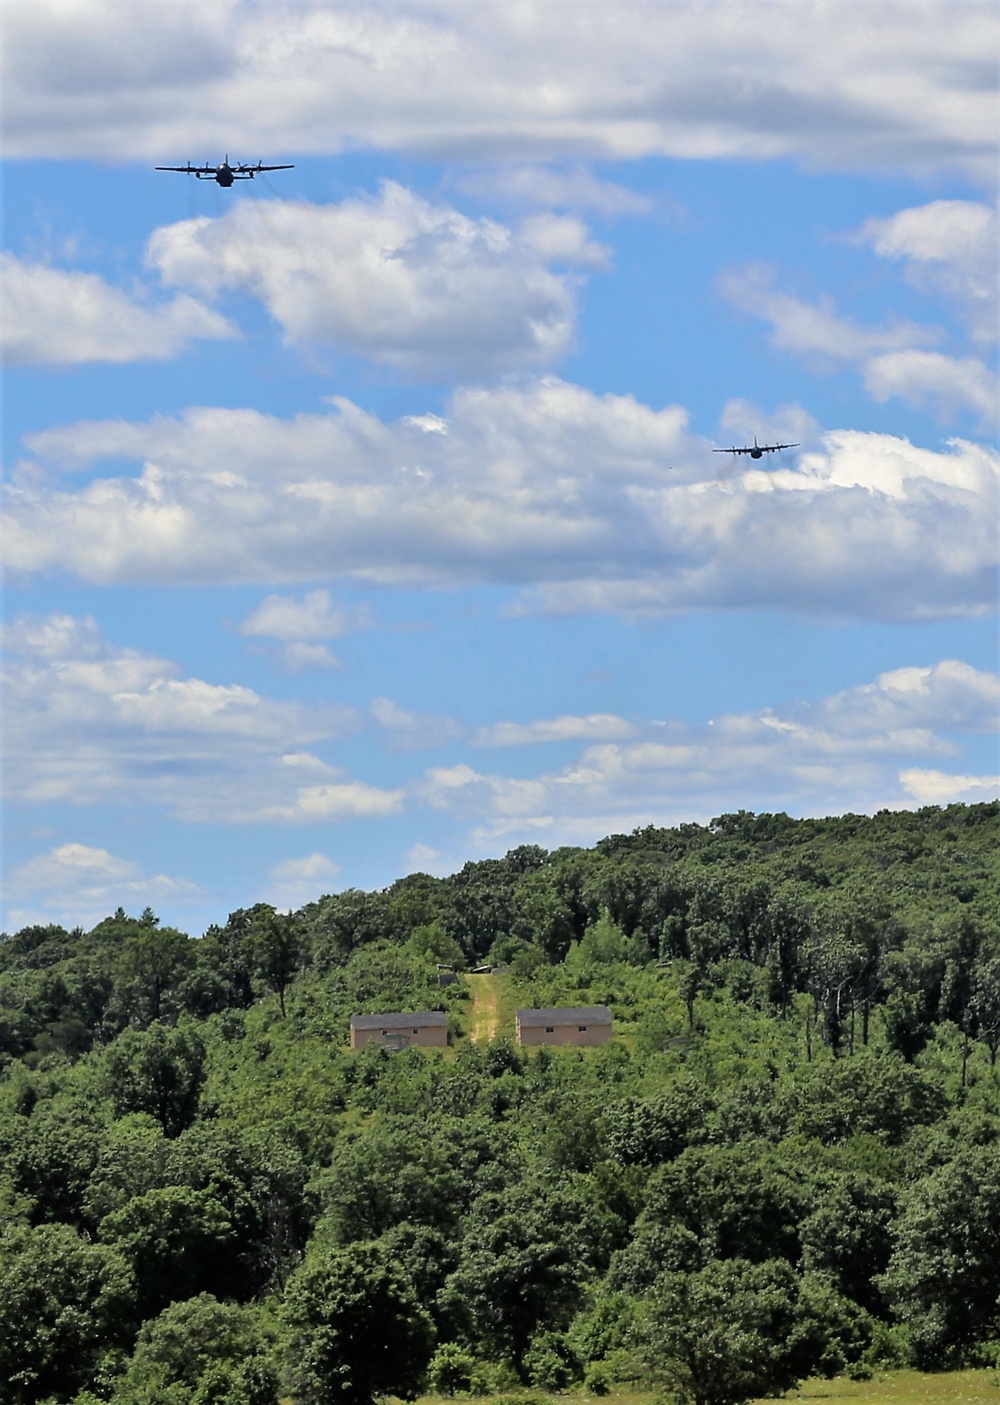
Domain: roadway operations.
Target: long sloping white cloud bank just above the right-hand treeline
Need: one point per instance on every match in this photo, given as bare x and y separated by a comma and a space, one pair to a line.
859, 750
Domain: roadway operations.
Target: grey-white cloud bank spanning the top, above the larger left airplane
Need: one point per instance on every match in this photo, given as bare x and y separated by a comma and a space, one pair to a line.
902, 85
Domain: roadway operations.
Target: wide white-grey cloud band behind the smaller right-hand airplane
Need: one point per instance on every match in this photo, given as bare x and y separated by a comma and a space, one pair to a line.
588, 502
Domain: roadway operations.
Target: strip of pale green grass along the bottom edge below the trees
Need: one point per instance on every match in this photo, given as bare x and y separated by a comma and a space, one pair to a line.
897, 1389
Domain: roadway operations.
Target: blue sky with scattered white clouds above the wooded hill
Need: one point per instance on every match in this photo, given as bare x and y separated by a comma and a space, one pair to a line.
367, 519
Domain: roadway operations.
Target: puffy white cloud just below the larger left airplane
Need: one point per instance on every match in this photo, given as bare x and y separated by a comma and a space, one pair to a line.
393, 277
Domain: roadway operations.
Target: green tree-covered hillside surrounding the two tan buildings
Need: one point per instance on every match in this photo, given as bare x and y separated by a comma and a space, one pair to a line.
786, 1163
